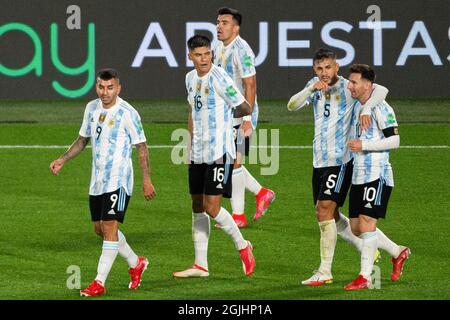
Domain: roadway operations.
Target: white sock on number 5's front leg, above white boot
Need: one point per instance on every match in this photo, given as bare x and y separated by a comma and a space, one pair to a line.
328, 237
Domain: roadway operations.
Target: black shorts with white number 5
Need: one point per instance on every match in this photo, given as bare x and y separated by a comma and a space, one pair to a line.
332, 183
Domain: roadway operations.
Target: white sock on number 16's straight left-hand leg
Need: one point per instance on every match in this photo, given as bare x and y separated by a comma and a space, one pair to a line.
200, 235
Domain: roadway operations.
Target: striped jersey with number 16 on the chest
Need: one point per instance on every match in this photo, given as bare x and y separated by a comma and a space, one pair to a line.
212, 99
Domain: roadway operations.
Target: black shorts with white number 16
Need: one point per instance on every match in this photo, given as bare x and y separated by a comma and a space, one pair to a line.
211, 179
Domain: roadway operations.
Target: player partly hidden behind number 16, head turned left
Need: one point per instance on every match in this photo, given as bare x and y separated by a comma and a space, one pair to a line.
236, 57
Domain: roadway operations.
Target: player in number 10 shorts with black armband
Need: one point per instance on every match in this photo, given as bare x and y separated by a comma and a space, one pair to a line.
372, 179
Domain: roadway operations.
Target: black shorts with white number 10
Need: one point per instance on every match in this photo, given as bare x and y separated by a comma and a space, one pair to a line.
369, 199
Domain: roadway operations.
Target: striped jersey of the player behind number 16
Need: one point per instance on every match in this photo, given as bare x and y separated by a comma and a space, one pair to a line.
238, 60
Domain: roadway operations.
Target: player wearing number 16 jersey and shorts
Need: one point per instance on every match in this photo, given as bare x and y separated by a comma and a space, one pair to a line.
214, 100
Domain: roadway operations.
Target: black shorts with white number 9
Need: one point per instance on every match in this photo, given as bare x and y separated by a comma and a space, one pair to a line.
109, 206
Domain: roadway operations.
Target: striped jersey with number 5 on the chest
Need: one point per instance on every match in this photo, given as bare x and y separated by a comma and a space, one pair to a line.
332, 117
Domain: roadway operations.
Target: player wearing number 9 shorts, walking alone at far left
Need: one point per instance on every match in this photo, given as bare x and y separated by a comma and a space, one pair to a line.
113, 126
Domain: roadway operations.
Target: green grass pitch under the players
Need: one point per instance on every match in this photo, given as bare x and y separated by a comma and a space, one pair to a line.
46, 224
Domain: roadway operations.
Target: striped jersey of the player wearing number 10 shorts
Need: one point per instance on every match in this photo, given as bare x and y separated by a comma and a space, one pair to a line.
372, 165
